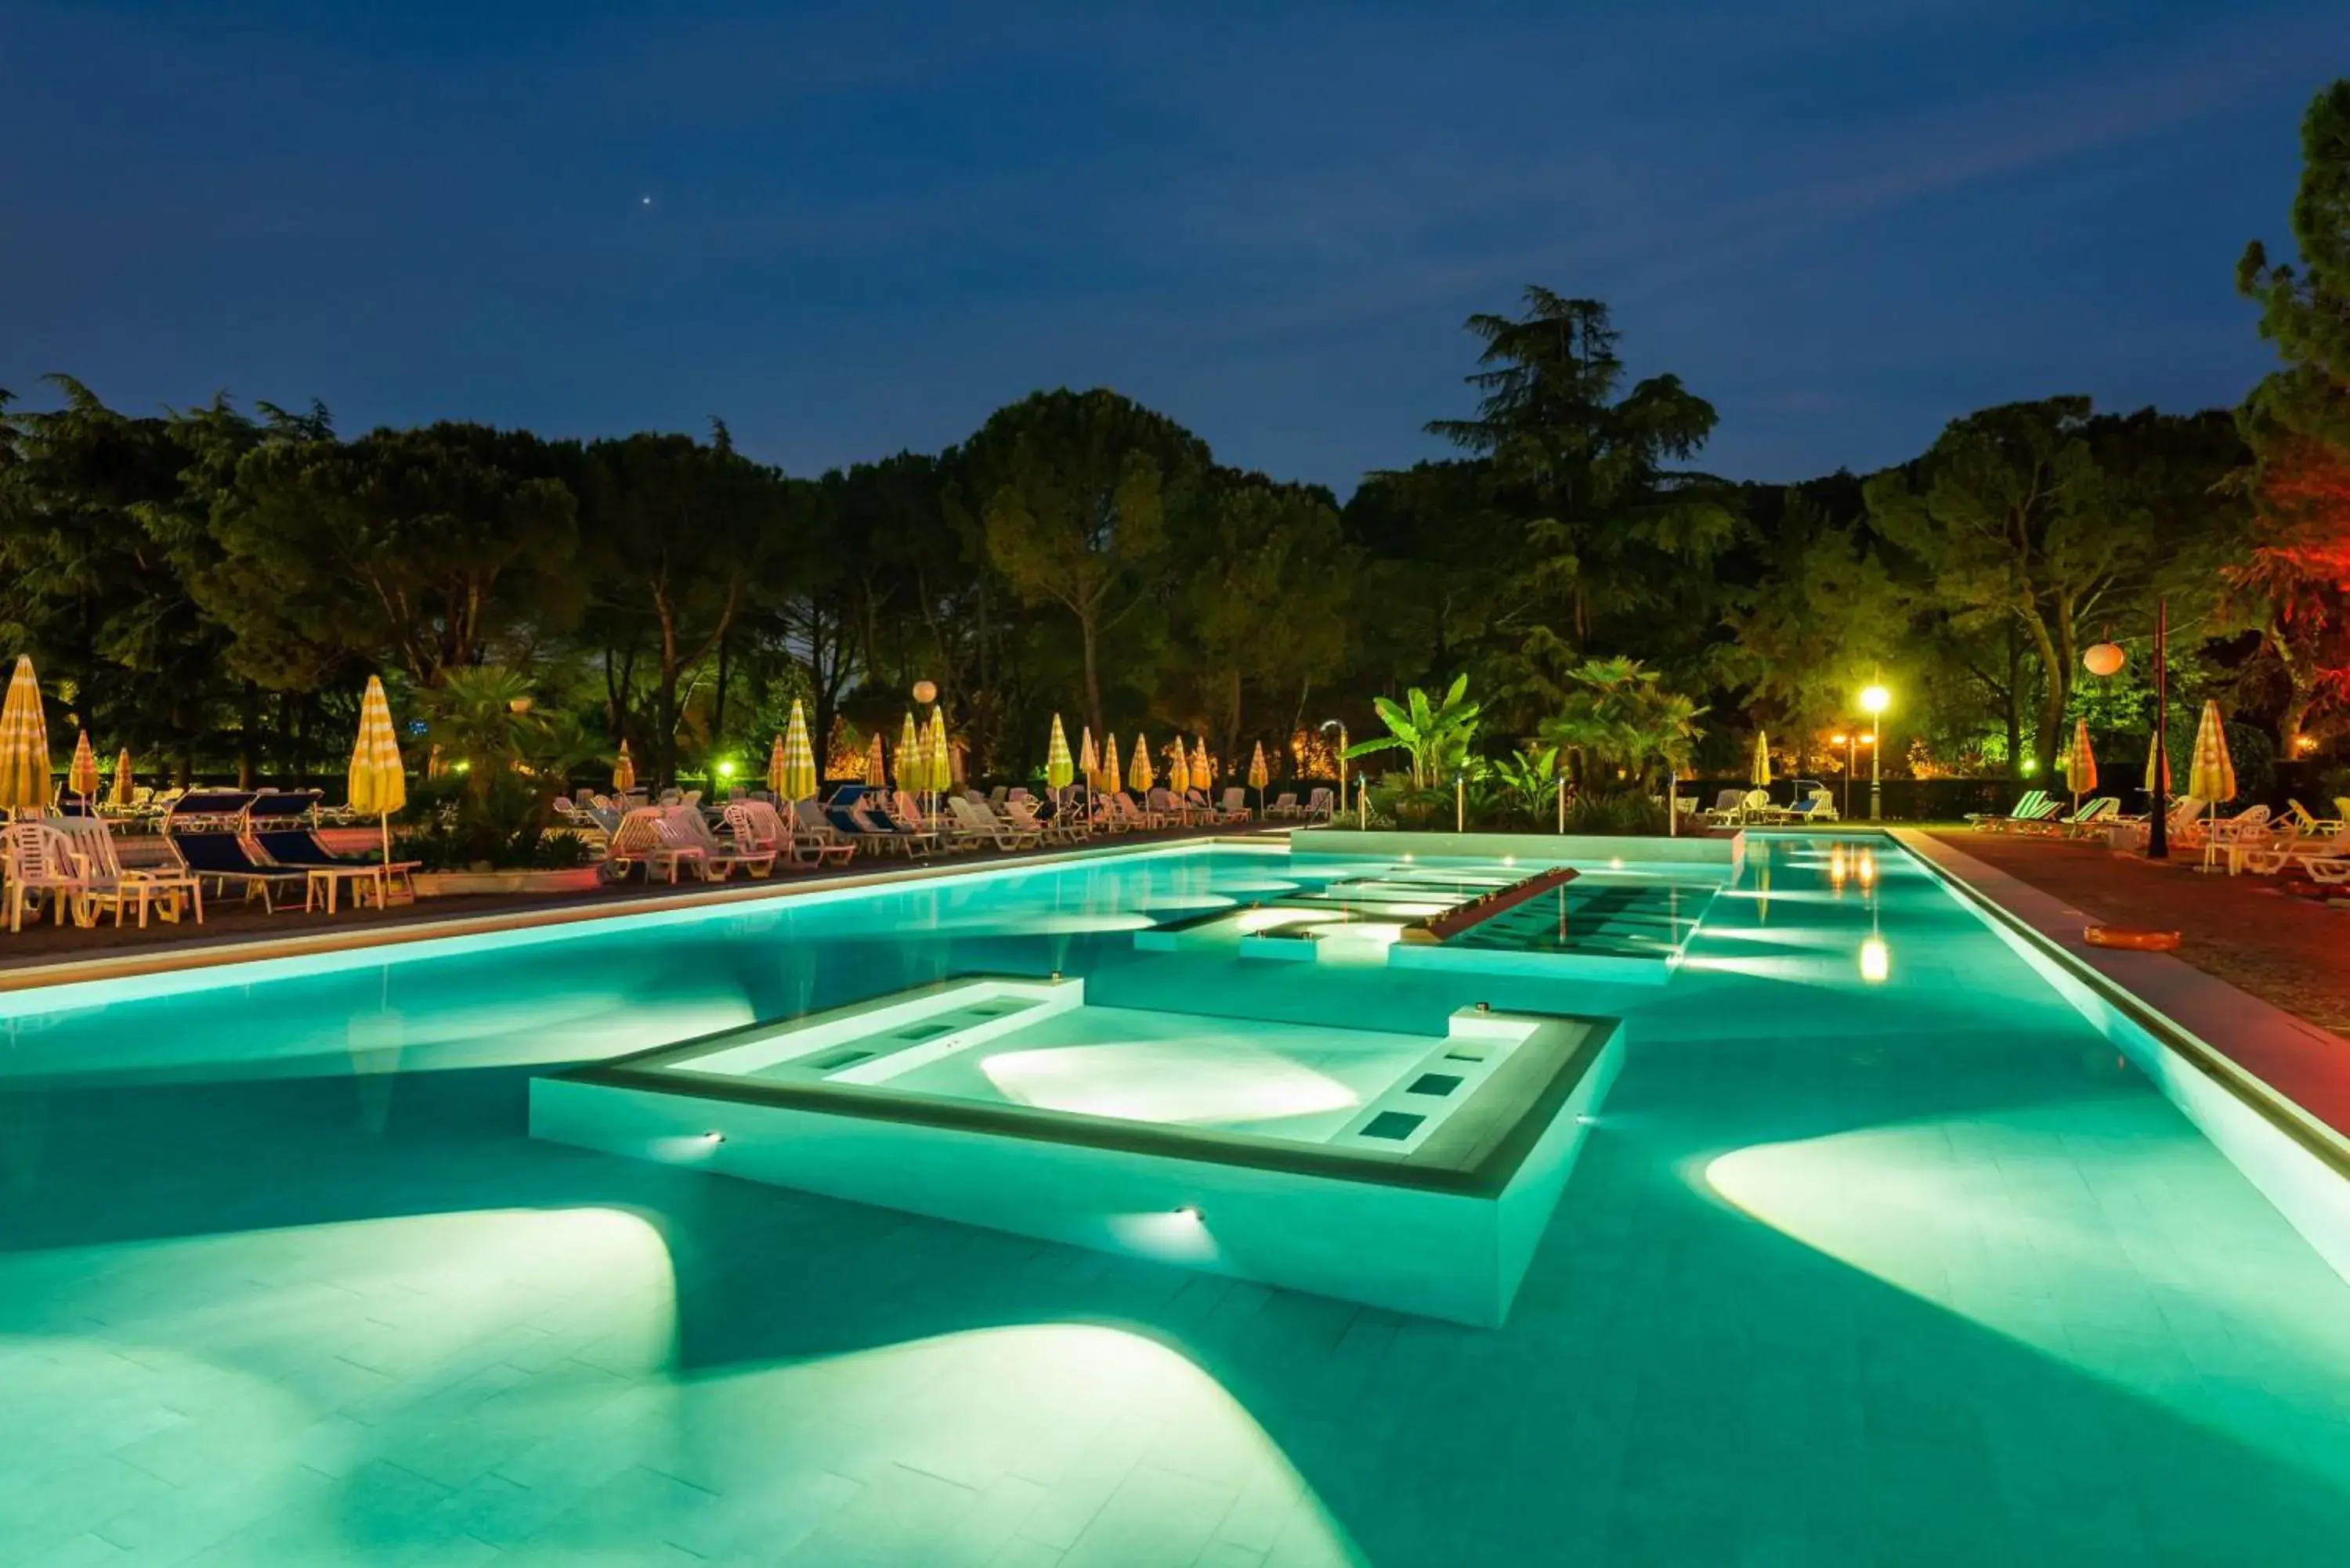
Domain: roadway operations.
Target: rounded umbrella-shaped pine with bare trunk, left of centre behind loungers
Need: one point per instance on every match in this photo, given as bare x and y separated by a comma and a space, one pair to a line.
1077, 492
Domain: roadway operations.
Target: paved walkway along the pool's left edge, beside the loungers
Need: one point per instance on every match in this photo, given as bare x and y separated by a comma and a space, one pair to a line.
236, 923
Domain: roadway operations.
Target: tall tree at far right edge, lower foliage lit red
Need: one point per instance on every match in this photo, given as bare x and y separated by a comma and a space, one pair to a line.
2297, 424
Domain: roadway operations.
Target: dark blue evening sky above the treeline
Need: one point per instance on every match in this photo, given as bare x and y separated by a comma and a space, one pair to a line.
871, 227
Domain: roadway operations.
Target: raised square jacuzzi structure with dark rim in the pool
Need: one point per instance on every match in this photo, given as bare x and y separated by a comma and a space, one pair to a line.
1395, 1170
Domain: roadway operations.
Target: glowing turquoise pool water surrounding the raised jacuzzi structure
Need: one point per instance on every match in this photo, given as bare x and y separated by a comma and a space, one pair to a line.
1881, 1254
